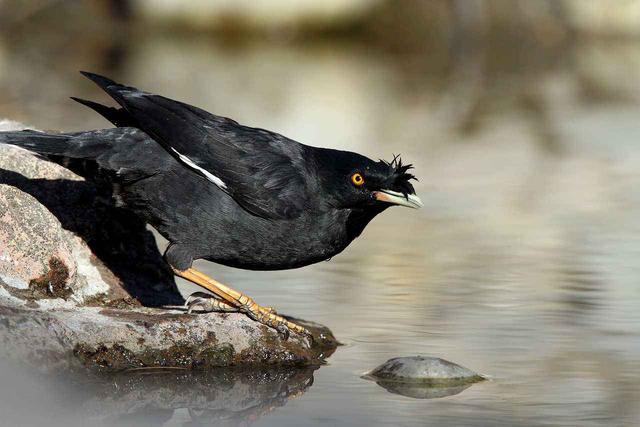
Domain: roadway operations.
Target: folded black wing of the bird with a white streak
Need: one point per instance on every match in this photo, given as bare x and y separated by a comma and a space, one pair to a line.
263, 171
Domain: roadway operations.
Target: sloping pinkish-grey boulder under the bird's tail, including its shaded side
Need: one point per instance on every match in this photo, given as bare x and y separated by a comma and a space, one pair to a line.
52, 217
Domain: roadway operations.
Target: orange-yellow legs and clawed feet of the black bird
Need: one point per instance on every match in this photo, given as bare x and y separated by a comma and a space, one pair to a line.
241, 302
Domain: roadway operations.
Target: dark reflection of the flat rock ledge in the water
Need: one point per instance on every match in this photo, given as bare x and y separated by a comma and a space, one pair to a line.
221, 397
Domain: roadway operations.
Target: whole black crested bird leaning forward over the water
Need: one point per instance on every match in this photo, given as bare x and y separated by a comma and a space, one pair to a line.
217, 190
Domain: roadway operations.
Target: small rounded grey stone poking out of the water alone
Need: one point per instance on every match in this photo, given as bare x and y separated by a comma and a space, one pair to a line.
423, 377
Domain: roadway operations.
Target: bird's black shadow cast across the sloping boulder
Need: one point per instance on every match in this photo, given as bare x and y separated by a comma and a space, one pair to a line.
116, 237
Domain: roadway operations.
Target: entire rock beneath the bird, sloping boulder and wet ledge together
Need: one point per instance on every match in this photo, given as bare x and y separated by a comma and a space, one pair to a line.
71, 297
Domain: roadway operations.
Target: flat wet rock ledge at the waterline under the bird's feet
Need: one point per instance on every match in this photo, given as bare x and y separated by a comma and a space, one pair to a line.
65, 337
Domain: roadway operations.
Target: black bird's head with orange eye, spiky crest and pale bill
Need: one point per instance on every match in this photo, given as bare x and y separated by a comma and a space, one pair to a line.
353, 181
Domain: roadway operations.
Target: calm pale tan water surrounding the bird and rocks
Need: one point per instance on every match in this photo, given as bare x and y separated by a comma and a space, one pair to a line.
524, 264
